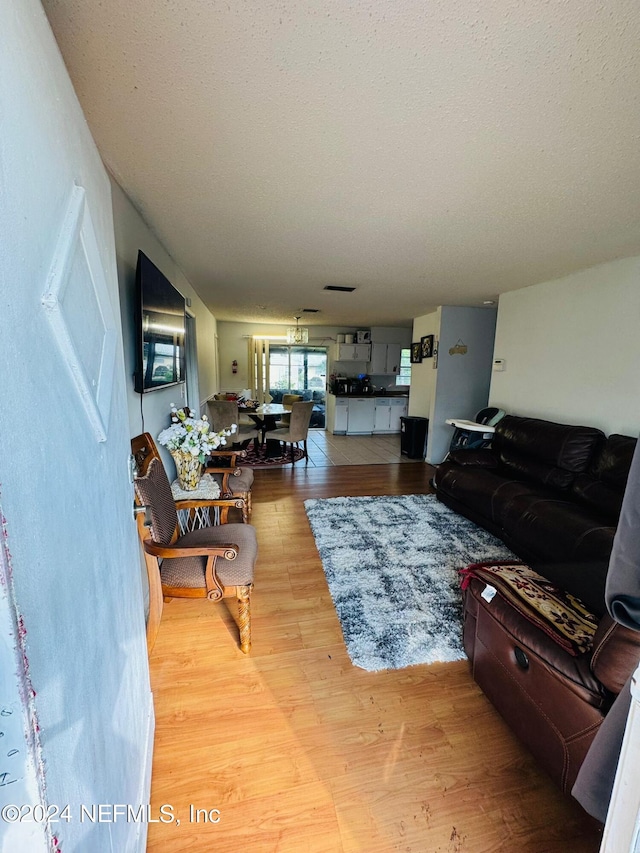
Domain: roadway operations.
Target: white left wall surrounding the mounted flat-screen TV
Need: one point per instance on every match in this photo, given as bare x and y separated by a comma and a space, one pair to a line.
132, 234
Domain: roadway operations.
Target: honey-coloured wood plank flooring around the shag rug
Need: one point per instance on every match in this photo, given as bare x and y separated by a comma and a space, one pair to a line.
294, 750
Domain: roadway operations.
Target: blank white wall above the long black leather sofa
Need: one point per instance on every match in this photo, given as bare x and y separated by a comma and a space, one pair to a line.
571, 349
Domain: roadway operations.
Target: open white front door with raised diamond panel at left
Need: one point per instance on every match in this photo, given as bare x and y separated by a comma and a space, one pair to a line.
72, 555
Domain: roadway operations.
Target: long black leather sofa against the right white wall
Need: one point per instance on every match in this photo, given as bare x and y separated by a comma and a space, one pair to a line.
552, 492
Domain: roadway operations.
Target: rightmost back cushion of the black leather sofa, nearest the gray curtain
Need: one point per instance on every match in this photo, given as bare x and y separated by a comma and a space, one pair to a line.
602, 487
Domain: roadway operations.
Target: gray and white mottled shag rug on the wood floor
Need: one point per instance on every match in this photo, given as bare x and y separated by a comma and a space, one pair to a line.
392, 568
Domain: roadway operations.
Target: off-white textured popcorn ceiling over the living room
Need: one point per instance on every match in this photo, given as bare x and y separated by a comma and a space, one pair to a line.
426, 153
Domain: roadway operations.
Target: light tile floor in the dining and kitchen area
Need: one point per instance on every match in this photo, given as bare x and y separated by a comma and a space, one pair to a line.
326, 449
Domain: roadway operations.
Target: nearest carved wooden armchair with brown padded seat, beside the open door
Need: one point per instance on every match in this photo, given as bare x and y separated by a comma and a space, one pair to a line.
213, 562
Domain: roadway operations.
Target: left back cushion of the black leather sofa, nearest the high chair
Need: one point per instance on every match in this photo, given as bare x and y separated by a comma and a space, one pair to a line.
547, 453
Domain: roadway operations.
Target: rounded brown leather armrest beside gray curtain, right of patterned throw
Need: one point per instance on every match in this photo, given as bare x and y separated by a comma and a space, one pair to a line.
615, 654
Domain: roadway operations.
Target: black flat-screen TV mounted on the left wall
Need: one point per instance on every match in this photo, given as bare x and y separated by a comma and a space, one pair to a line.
160, 325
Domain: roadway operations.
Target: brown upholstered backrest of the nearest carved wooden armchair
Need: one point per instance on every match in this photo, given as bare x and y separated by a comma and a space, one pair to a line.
153, 490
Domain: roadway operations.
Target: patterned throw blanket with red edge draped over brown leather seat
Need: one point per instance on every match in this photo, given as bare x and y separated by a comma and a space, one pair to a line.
559, 614
